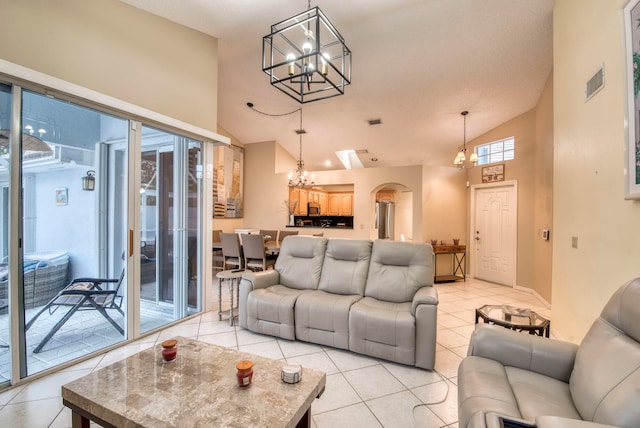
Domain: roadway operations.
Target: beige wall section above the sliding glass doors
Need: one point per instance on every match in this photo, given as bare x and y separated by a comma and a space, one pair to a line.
117, 50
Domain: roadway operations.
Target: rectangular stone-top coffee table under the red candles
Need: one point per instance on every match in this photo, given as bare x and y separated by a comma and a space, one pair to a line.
197, 389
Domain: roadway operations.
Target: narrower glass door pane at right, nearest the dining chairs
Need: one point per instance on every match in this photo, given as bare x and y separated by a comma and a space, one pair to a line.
170, 227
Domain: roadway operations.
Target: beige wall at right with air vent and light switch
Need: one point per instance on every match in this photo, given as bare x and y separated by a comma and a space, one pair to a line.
588, 166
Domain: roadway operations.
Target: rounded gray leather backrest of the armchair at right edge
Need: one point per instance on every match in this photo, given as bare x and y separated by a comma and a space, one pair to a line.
605, 382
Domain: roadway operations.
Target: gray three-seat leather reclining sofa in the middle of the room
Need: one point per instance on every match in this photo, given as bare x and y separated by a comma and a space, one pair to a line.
371, 297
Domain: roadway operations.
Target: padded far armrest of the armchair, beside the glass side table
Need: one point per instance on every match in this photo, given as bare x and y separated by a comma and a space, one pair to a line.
548, 357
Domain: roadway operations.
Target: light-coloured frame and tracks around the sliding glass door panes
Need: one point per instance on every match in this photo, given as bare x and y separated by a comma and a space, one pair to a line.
93, 100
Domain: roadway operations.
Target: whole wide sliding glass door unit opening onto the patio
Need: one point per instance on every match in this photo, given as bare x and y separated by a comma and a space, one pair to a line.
92, 201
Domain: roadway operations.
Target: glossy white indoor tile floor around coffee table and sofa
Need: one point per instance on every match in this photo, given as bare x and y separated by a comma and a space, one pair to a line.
360, 391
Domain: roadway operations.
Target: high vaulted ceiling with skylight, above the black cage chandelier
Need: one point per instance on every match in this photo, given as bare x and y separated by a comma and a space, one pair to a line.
416, 65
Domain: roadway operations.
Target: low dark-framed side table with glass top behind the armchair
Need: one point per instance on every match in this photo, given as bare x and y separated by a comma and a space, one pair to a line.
518, 320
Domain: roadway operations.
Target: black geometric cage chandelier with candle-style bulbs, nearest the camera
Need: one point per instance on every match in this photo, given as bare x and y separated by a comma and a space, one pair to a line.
306, 57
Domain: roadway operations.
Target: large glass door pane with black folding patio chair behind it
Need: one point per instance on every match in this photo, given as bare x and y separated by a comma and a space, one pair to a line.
74, 219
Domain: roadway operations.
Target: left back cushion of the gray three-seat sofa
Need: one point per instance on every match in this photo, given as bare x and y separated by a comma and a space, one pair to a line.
300, 261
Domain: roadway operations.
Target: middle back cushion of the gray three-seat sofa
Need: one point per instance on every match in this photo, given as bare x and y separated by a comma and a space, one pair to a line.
345, 267
